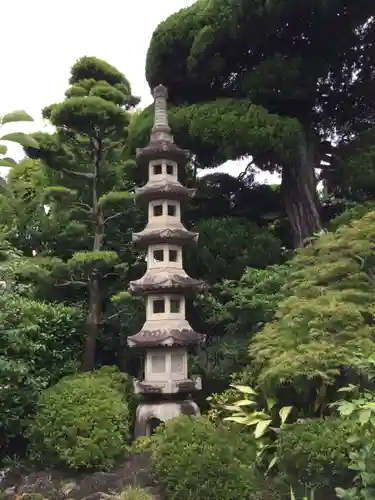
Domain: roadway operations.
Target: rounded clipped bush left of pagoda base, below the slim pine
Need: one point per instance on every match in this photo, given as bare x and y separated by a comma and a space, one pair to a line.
83, 421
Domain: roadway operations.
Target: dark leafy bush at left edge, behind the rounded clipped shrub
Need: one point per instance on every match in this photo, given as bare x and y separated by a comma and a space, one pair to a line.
38, 344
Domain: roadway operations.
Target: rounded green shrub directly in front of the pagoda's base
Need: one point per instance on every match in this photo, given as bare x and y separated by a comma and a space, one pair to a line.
194, 459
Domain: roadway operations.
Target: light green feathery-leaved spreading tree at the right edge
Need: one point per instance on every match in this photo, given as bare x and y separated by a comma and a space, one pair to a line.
322, 334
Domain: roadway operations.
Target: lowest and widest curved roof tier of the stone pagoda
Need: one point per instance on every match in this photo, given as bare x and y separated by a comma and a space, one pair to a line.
166, 337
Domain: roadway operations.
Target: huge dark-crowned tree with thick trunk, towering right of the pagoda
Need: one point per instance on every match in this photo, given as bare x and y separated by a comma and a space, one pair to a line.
267, 80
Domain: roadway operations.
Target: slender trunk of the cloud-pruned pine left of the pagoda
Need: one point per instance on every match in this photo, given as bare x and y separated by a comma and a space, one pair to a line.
95, 300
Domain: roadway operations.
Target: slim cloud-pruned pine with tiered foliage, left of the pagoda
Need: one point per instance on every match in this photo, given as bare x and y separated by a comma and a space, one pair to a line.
89, 181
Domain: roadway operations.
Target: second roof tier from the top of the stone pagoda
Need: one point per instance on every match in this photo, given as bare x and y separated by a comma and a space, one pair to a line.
163, 189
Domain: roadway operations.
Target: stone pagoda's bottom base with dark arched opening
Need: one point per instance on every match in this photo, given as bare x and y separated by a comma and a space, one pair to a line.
150, 415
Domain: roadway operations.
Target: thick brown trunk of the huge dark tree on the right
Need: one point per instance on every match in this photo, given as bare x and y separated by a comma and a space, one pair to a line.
298, 188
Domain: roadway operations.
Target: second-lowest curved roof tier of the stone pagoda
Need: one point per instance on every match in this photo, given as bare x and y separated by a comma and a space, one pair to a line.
164, 280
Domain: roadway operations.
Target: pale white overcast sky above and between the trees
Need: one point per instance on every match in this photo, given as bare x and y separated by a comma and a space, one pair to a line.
42, 39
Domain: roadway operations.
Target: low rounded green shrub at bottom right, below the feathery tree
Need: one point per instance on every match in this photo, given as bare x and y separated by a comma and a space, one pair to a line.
315, 453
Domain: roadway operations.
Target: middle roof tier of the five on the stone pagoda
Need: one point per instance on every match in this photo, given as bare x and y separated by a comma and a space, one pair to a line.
176, 236
